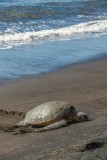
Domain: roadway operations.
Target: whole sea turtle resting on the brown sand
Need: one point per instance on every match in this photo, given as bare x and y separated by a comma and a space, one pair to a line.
52, 115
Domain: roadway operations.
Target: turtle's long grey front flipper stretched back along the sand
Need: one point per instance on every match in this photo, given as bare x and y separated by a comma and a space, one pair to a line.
53, 126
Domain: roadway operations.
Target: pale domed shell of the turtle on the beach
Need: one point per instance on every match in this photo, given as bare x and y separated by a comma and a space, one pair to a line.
49, 112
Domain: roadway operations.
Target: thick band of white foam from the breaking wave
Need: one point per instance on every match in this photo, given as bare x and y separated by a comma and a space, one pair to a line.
89, 29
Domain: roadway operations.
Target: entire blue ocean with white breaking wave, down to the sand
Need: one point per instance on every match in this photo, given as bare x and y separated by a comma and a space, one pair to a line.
38, 36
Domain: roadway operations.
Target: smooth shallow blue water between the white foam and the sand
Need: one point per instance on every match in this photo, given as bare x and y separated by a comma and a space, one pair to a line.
33, 59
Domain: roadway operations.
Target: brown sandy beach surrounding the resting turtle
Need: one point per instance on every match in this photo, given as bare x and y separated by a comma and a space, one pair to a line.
83, 85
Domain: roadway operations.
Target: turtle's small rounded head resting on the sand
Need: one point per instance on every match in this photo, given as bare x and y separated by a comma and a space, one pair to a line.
81, 117
